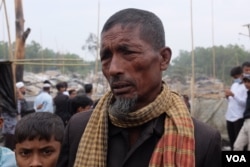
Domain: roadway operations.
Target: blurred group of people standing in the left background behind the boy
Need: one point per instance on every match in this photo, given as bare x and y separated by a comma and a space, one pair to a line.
64, 104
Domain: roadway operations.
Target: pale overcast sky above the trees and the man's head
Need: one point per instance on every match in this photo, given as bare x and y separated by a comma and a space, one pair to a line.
64, 25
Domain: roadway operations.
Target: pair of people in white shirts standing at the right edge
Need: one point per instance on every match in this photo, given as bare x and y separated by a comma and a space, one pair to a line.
238, 111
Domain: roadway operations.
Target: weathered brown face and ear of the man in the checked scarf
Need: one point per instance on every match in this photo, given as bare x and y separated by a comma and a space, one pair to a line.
132, 67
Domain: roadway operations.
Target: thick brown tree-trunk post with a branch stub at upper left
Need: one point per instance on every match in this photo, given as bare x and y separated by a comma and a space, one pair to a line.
21, 37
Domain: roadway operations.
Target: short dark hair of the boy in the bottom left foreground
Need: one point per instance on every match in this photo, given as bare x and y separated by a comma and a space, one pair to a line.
41, 125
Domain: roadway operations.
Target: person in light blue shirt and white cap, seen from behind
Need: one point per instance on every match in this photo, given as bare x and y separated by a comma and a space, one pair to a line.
45, 99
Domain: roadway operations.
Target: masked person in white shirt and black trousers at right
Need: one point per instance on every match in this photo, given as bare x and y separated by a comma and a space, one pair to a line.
236, 97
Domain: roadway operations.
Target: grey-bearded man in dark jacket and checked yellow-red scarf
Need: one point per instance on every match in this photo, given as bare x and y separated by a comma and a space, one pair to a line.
140, 121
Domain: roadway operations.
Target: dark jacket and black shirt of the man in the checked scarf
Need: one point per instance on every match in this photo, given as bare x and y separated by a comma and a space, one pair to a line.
207, 143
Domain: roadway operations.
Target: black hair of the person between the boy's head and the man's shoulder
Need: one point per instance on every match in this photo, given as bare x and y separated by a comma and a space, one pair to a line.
80, 101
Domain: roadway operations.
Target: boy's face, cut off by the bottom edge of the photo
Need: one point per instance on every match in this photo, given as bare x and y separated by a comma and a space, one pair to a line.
40, 153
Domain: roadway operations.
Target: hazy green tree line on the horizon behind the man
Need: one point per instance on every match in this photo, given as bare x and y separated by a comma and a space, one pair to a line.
180, 68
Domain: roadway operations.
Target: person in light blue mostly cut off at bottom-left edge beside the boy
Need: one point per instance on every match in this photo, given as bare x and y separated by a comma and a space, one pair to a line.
7, 156
